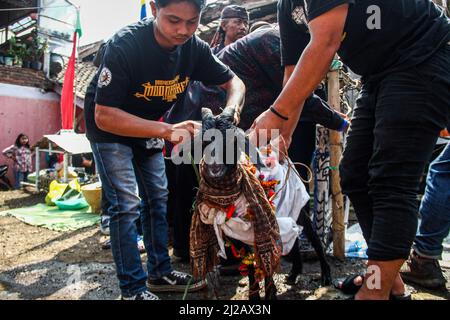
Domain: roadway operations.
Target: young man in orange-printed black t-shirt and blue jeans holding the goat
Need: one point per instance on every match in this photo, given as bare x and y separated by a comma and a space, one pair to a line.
145, 69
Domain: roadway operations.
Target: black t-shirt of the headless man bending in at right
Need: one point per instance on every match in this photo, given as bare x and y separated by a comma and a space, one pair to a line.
380, 36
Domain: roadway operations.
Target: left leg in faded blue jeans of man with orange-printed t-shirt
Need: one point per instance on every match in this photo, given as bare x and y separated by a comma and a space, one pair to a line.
119, 182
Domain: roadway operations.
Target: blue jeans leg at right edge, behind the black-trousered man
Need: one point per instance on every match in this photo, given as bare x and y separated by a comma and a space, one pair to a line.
435, 209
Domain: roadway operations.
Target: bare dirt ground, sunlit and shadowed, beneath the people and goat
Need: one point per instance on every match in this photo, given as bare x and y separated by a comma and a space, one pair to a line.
36, 263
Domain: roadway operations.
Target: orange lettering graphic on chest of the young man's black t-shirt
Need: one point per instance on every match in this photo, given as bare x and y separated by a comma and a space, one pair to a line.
166, 90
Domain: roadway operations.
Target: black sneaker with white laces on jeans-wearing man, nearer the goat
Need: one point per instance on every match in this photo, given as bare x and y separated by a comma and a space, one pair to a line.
176, 282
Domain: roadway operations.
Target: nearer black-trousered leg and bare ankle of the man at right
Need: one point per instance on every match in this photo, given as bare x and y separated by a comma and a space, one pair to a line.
412, 107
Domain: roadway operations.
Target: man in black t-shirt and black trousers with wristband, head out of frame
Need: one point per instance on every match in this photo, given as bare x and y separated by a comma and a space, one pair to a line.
401, 49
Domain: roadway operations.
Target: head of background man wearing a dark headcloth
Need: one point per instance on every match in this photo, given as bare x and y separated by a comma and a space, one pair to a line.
234, 22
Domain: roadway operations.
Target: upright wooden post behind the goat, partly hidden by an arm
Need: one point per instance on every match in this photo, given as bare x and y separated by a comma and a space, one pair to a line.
335, 157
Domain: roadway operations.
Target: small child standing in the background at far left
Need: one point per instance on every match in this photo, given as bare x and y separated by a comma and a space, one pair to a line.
20, 153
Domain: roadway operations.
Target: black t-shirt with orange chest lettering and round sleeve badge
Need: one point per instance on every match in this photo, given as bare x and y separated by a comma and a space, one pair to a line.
138, 76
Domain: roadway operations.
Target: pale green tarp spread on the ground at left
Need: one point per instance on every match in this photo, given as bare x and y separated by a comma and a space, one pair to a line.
51, 218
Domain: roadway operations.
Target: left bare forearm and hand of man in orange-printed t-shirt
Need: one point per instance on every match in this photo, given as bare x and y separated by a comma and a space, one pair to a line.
122, 123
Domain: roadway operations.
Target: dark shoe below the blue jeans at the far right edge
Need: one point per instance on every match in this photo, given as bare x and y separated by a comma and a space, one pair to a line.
422, 271
